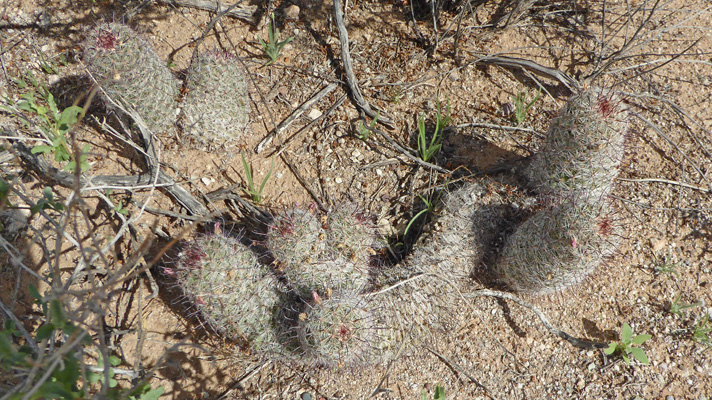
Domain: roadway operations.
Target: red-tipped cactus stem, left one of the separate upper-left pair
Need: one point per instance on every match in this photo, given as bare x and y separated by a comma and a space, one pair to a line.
131, 73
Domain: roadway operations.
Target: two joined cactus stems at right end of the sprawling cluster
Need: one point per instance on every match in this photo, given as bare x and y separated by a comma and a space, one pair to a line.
572, 232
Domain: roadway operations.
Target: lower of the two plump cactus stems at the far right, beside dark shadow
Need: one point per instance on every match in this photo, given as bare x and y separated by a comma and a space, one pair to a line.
558, 246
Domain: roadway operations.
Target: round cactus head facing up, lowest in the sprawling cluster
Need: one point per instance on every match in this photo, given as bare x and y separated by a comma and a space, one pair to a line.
337, 331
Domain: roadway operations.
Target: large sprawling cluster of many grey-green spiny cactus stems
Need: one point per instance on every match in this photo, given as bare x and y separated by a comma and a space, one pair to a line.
336, 307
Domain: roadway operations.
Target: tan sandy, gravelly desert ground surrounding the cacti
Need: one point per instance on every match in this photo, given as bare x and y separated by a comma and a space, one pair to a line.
657, 55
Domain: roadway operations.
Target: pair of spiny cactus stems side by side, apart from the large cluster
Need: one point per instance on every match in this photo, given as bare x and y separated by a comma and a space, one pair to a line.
215, 108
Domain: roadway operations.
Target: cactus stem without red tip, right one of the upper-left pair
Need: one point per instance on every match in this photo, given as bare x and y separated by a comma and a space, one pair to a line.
216, 107
